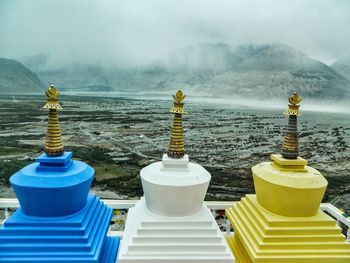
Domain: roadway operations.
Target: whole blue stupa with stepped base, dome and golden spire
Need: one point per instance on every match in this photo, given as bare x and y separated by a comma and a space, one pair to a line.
58, 220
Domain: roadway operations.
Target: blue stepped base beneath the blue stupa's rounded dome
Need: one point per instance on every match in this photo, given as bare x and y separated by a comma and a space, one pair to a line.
80, 237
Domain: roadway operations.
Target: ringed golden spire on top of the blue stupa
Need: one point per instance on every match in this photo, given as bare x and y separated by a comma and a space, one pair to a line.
53, 144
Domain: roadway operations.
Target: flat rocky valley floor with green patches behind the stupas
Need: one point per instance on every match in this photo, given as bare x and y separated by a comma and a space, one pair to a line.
119, 136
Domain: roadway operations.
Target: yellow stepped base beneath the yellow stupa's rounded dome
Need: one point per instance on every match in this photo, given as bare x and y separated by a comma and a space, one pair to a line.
264, 237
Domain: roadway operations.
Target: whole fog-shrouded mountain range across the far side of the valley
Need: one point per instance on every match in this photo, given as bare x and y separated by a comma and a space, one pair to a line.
221, 70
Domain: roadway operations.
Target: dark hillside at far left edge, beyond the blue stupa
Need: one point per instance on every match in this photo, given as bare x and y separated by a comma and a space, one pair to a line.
16, 78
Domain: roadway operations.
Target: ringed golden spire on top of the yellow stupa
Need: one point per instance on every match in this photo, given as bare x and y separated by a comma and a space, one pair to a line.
290, 146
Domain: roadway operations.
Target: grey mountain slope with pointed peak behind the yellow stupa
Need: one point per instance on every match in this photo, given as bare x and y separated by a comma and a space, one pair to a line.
276, 70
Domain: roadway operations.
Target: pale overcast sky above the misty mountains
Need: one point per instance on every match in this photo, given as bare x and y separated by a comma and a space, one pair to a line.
129, 31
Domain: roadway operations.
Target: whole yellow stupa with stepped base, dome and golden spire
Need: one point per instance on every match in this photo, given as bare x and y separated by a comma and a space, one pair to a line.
283, 222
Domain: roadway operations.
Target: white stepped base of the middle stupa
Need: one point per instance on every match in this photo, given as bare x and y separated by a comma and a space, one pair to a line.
156, 239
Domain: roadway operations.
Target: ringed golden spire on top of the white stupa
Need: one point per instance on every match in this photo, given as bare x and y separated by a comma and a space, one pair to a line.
177, 145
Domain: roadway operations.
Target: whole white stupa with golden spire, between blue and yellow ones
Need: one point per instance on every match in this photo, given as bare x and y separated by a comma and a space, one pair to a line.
171, 223
